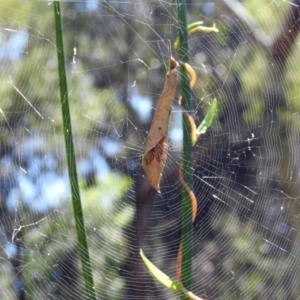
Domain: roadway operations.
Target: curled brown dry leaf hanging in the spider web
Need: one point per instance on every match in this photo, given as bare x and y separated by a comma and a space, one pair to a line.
156, 149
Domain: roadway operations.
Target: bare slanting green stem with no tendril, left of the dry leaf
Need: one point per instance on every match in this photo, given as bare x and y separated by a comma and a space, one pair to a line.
76, 201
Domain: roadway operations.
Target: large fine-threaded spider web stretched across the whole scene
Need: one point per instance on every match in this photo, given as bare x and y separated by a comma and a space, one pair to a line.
245, 167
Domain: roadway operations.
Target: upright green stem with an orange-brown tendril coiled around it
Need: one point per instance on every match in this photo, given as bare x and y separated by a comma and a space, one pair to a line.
186, 267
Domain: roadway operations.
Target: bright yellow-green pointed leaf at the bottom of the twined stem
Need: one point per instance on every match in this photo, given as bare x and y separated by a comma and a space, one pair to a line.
166, 280
